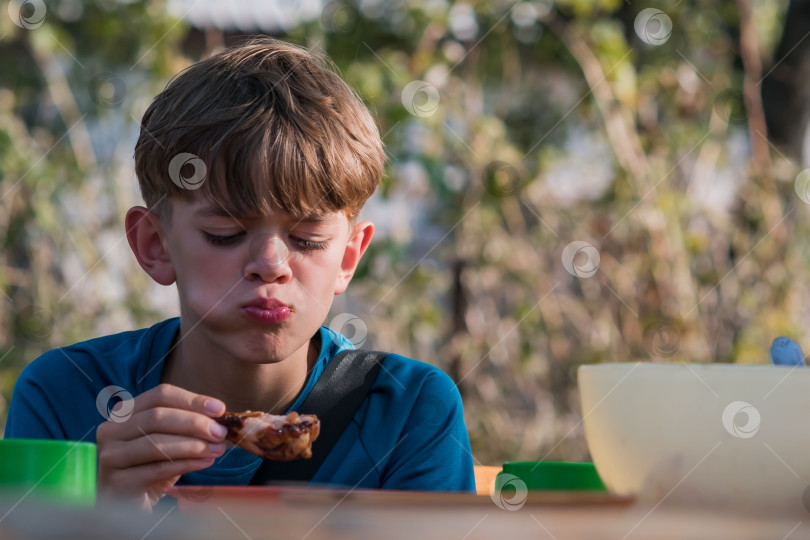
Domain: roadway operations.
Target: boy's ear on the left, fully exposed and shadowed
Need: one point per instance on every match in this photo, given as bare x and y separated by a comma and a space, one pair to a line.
146, 235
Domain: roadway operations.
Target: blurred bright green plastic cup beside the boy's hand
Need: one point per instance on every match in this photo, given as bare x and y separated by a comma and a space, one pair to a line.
59, 472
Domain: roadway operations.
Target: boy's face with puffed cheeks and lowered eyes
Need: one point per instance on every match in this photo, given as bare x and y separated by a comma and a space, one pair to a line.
259, 287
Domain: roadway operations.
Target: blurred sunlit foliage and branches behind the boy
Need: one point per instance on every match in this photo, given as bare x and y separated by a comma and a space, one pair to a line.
569, 182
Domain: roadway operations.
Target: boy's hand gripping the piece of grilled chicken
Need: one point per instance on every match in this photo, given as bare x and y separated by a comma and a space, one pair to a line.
170, 433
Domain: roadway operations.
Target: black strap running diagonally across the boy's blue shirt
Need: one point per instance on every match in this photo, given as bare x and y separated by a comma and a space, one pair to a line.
335, 399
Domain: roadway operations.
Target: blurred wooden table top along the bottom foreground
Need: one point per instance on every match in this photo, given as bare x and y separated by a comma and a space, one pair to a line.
315, 514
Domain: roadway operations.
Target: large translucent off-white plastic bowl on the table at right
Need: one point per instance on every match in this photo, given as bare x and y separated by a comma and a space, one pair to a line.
697, 434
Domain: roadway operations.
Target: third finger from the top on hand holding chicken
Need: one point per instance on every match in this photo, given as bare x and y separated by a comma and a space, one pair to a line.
155, 448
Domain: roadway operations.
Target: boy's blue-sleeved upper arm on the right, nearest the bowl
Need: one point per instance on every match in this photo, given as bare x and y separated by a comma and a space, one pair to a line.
433, 452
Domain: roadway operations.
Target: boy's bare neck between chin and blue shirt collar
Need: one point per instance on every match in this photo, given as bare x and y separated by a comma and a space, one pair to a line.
241, 386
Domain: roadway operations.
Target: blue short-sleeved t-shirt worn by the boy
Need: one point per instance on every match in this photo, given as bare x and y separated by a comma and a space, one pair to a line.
409, 432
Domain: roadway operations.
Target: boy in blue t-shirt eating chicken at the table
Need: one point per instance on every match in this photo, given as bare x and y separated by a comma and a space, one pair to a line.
253, 164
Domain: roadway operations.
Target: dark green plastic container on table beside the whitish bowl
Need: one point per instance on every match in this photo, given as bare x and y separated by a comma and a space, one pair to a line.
551, 475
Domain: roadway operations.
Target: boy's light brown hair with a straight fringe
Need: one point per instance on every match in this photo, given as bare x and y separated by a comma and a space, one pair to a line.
275, 128
